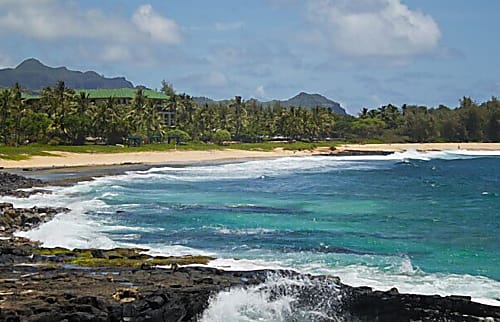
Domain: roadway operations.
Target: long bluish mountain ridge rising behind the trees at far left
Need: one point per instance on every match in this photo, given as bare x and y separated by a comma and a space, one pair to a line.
33, 75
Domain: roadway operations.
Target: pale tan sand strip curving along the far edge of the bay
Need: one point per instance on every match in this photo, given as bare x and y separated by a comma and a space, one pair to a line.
79, 162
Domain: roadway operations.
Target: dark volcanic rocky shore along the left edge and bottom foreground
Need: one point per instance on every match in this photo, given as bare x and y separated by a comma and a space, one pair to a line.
43, 284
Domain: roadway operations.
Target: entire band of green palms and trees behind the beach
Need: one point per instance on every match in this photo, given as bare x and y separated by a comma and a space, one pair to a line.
64, 116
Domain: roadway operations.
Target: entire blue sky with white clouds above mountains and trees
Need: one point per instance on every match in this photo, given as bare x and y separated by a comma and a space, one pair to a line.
361, 53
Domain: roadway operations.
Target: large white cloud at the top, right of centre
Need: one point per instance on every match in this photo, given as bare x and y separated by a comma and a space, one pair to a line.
376, 28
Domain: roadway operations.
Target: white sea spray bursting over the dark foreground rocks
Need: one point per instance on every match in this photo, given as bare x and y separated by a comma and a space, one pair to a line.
285, 296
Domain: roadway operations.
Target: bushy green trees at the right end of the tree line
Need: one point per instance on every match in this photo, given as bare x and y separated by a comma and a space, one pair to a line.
468, 122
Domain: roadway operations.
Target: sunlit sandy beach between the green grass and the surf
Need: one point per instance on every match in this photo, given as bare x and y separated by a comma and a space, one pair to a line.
67, 159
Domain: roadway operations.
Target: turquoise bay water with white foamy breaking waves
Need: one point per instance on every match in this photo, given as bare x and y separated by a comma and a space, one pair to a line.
422, 222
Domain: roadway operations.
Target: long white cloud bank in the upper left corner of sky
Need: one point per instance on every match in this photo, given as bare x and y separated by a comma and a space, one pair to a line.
117, 37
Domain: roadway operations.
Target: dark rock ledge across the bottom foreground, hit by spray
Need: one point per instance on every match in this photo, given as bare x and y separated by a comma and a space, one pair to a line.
117, 294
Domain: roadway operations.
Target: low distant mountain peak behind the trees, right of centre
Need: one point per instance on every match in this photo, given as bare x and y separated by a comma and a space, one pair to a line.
302, 99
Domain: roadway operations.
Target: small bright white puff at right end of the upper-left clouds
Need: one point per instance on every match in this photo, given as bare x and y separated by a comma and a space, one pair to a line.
158, 27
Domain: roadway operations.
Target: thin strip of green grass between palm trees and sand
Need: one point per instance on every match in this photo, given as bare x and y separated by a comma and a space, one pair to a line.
27, 151
